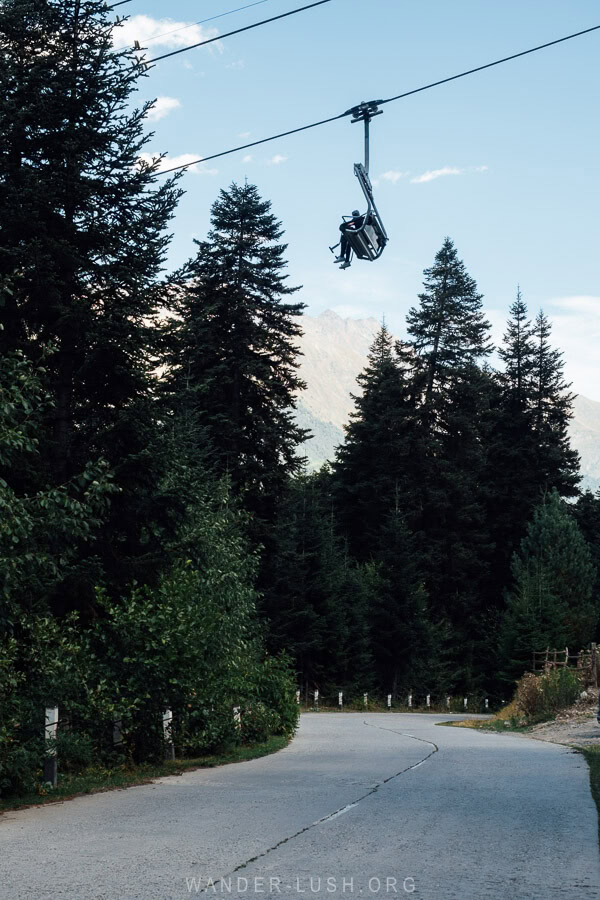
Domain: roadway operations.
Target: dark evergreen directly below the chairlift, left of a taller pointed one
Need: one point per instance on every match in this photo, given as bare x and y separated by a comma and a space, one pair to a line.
375, 487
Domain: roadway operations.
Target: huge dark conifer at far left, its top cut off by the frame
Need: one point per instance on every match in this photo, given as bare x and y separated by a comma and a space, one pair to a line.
82, 226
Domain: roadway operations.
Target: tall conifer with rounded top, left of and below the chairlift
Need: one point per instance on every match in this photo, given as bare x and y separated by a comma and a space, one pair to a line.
233, 359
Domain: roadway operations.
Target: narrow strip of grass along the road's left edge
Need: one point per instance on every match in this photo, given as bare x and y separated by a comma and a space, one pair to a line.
97, 780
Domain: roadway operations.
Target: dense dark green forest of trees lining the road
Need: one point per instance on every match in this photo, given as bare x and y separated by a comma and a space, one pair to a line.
162, 545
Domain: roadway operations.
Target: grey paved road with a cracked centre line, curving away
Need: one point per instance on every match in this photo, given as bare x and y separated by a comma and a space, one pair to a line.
368, 805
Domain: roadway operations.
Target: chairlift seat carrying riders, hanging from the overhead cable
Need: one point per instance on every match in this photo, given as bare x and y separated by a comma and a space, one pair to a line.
368, 240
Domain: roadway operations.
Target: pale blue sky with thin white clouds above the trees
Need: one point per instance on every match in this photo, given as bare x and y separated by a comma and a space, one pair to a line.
505, 162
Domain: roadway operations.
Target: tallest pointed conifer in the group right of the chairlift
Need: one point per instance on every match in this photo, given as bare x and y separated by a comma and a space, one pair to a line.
450, 337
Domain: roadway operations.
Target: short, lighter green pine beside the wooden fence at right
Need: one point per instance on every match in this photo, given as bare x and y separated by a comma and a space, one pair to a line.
552, 601
